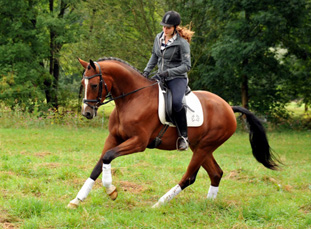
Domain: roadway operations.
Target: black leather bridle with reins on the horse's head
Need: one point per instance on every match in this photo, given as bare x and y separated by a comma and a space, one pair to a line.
97, 101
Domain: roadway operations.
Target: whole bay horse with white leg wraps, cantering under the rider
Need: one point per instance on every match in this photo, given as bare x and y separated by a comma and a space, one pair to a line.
134, 124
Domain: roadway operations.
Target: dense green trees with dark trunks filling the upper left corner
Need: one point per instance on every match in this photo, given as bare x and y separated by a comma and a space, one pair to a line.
32, 35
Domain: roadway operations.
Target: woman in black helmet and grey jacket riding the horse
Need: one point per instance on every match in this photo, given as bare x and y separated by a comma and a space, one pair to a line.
171, 52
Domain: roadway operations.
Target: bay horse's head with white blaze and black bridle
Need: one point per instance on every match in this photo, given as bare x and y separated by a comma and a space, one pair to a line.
95, 88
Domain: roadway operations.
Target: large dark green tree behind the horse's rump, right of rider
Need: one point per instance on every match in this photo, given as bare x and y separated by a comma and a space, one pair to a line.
243, 50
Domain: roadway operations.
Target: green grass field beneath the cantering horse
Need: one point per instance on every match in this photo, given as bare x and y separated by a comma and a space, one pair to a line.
42, 169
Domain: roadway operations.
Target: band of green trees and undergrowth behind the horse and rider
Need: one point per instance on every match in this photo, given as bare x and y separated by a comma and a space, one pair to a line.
251, 53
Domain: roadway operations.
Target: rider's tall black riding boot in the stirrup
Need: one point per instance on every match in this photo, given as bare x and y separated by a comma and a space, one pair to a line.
181, 124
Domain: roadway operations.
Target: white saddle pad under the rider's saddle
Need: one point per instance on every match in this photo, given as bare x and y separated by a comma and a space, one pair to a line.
194, 110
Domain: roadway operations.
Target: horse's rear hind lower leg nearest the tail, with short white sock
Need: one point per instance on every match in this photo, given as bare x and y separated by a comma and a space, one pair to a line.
215, 174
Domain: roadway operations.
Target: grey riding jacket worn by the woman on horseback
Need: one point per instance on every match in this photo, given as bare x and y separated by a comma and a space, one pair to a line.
174, 59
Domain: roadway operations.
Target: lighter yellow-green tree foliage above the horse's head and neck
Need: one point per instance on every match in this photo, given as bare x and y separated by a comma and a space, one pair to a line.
123, 29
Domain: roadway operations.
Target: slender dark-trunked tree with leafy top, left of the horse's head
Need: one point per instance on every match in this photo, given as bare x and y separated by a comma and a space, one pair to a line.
62, 23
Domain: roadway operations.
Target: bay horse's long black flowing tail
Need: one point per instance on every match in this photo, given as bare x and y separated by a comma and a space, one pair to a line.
258, 139
